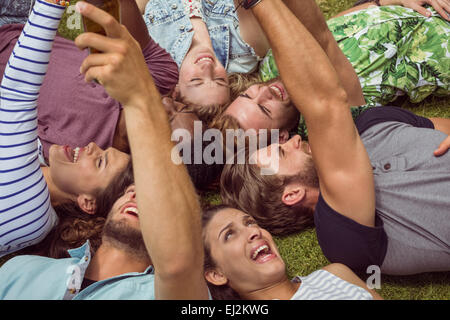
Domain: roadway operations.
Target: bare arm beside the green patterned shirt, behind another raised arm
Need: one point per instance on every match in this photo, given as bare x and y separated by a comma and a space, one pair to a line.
312, 18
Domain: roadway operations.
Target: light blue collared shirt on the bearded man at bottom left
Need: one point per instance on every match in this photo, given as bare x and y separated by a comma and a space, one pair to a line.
41, 278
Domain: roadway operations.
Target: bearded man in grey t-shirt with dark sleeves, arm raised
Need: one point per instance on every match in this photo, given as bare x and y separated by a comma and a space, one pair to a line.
378, 193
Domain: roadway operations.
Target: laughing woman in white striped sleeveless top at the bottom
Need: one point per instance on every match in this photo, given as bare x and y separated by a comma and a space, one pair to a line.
243, 262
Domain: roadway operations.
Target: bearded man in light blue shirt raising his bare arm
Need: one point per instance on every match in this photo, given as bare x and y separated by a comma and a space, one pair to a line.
165, 261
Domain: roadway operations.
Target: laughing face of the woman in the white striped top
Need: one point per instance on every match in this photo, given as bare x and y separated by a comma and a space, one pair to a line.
244, 253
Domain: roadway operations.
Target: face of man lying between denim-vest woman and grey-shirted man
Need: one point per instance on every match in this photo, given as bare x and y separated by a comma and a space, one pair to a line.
263, 106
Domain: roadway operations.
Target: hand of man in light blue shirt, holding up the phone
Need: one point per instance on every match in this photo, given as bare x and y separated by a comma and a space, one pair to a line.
120, 66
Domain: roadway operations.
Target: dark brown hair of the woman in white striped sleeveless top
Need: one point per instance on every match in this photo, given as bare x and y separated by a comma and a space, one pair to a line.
223, 292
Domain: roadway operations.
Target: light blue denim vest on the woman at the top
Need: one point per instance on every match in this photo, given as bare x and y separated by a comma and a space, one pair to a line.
171, 28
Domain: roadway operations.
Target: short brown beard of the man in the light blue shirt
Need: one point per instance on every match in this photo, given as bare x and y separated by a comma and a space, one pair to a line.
124, 237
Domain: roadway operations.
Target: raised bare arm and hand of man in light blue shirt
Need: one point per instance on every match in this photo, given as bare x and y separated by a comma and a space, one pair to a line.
170, 211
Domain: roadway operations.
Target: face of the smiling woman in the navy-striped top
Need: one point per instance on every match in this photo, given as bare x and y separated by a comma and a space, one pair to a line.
86, 170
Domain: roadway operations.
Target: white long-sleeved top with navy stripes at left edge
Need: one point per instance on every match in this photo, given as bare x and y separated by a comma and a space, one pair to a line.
26, 214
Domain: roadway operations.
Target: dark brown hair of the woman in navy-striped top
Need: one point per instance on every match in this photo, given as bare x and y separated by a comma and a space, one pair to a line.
75, 226
